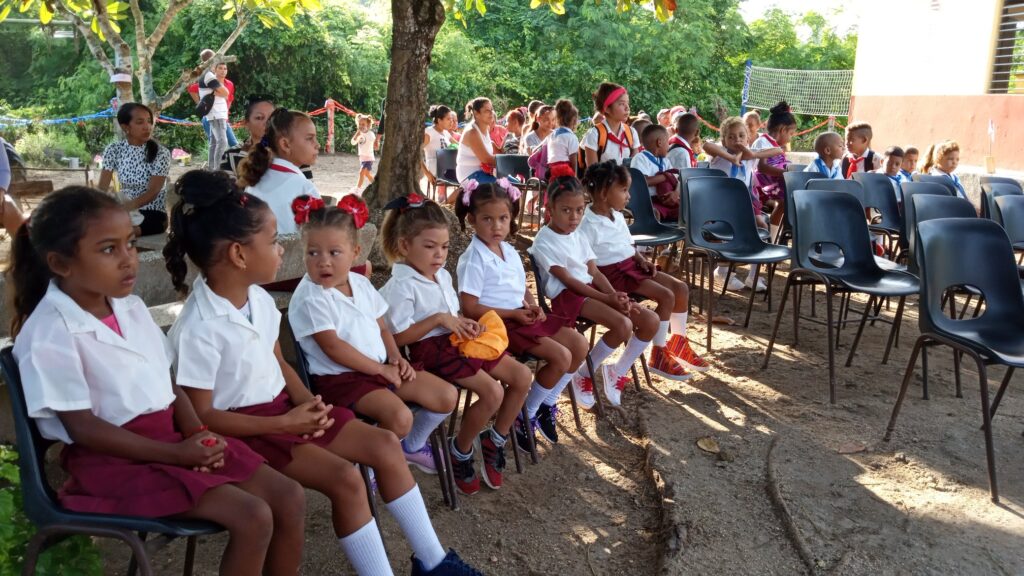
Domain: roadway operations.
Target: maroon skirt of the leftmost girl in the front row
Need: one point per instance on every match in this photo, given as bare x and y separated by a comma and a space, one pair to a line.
104, 484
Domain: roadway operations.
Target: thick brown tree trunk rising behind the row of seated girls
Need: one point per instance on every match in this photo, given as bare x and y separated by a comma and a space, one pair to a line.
415, 28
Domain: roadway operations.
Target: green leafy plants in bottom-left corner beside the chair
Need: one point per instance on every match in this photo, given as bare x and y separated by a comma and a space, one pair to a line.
74, 557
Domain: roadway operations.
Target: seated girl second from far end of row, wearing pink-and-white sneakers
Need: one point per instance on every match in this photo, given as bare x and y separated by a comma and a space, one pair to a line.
577, 289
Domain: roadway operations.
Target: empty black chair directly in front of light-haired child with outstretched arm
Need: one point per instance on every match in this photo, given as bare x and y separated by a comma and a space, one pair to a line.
726, 201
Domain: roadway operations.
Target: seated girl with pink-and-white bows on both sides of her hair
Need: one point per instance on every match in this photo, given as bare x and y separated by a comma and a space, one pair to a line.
492, 278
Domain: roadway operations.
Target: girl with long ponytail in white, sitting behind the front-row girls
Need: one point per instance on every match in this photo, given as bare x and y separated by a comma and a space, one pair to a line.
272, 171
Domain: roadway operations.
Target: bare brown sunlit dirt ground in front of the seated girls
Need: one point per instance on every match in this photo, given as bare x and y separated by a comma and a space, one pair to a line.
798, 486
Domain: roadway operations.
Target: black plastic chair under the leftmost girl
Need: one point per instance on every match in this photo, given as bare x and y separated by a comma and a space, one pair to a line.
55, 523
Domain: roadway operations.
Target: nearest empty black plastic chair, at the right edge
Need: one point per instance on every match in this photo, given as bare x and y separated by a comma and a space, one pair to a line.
994, 338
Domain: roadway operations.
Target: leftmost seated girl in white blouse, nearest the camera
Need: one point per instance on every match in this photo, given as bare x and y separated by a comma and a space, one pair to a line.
97, 376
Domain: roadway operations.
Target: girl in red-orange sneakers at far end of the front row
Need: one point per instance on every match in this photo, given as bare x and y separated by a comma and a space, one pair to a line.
628, 271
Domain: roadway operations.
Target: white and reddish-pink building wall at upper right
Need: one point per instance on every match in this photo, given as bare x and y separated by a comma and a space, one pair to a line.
922, 75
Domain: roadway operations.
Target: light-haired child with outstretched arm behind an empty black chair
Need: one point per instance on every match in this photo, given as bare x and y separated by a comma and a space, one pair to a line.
735, 158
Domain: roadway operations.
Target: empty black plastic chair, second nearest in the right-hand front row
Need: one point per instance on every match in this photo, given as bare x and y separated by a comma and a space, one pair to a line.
826, 218
